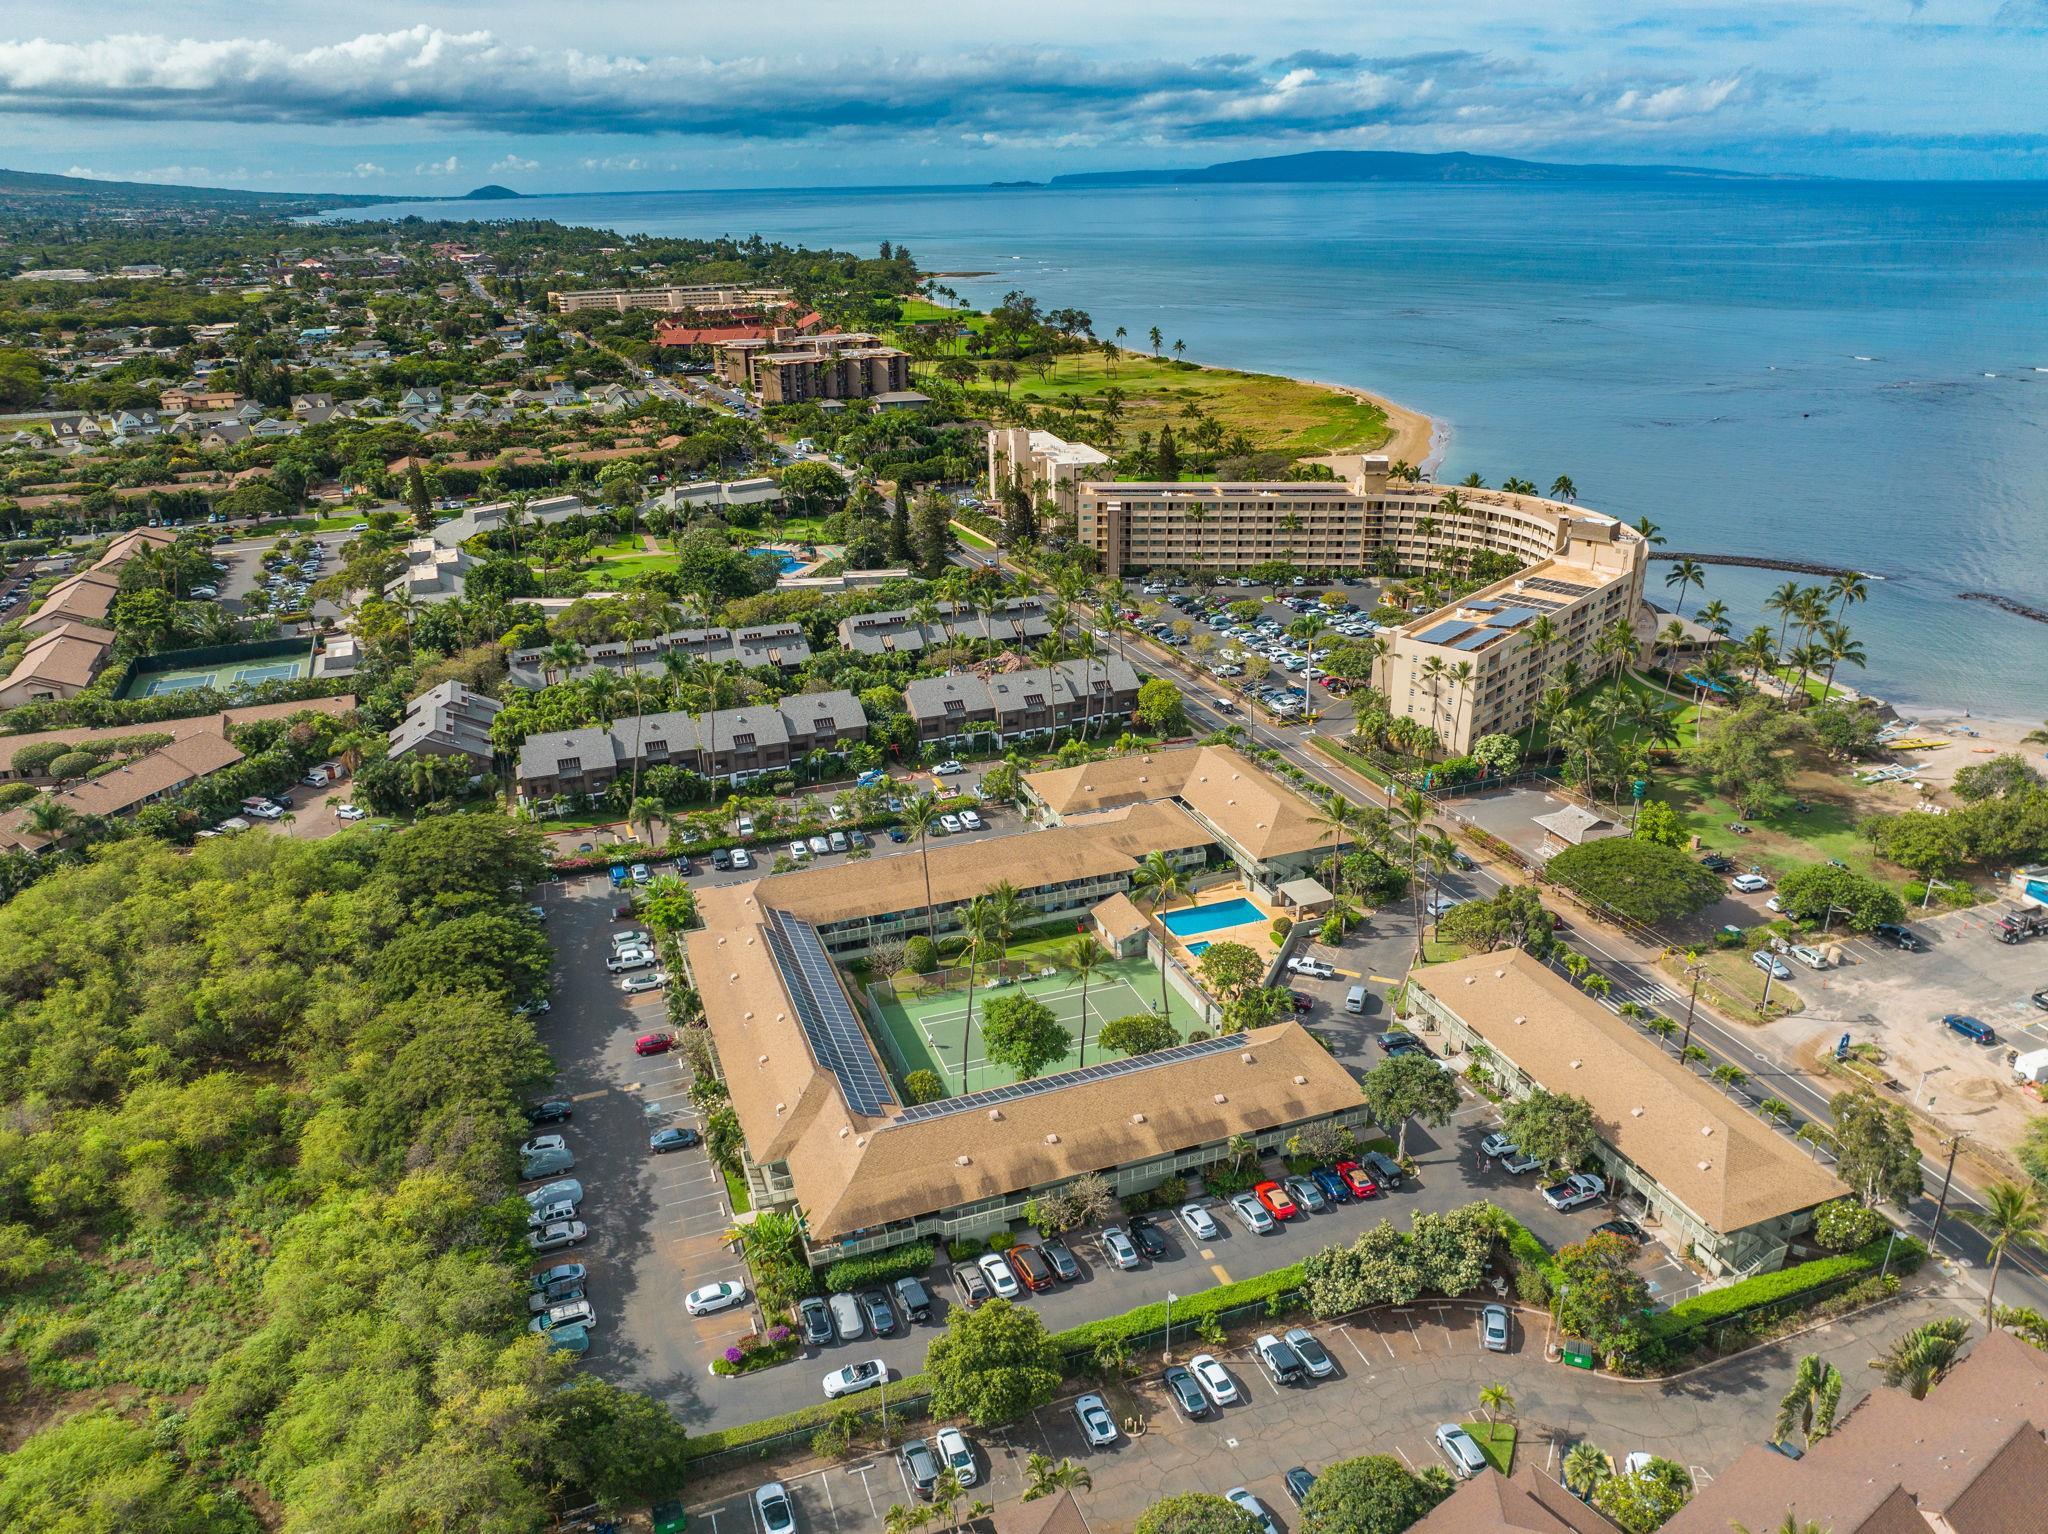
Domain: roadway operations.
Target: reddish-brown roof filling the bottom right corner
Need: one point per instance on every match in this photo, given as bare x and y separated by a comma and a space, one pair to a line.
1969, 1459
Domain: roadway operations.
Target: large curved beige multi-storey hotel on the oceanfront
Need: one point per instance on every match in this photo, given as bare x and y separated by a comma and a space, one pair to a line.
1465, 671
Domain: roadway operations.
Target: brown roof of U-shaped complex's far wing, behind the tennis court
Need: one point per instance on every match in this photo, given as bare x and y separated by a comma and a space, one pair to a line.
964, 869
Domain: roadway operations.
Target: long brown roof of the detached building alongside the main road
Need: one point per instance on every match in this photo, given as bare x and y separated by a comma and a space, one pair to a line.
1719, 1162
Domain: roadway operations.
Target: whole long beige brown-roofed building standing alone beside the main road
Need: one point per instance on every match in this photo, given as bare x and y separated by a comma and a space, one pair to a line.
1703, 1168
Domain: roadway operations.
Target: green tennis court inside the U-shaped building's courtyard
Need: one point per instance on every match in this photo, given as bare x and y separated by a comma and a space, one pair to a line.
927, 1031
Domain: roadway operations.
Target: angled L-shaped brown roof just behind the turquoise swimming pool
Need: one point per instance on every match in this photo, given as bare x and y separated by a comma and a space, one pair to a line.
1218, 783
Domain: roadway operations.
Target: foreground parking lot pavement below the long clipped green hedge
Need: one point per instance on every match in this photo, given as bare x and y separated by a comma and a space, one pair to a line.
1400, 1375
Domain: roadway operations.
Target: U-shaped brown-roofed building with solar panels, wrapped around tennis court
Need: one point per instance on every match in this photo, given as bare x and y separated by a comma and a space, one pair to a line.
822, 1119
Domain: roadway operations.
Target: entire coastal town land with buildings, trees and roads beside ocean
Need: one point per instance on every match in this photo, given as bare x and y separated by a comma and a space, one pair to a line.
691, 884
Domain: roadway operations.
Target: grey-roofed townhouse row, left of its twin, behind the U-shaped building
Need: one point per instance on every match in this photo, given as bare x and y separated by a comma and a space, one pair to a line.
734, 744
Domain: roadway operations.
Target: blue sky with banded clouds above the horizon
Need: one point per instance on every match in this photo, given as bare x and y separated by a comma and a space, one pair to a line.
642, 95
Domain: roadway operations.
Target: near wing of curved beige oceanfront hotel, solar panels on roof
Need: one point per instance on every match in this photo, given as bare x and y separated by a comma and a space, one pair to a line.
1480, 667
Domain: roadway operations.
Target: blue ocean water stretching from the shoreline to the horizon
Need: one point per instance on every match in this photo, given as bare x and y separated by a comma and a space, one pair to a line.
1838, 372
